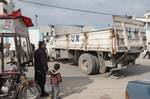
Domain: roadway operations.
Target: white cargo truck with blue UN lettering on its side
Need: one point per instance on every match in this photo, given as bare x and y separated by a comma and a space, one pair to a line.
100, 50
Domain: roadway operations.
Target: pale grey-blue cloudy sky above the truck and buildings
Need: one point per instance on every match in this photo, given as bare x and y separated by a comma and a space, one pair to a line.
52, 16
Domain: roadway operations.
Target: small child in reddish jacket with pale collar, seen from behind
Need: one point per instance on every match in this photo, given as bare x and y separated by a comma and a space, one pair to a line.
55, 79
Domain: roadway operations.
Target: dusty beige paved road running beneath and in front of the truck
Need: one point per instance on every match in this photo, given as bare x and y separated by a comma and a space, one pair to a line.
77, 85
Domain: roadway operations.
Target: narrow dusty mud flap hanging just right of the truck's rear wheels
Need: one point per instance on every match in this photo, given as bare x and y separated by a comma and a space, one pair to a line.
103, 68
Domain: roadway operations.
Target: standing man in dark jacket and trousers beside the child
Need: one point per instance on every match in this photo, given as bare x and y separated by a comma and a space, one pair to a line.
41, 66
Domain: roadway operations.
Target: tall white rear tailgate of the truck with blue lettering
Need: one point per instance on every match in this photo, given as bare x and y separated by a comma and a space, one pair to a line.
130, 32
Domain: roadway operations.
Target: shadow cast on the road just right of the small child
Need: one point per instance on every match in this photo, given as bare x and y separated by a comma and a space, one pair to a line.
74, 85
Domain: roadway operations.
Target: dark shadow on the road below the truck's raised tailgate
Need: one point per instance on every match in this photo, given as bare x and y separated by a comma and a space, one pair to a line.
131, 71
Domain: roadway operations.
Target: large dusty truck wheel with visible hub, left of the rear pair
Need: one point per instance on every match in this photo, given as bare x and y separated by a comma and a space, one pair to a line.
87, 63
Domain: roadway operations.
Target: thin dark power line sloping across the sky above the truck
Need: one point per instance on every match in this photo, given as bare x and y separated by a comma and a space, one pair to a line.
66, 8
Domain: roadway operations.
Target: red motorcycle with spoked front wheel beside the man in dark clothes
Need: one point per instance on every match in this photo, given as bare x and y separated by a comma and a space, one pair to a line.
16, 85
